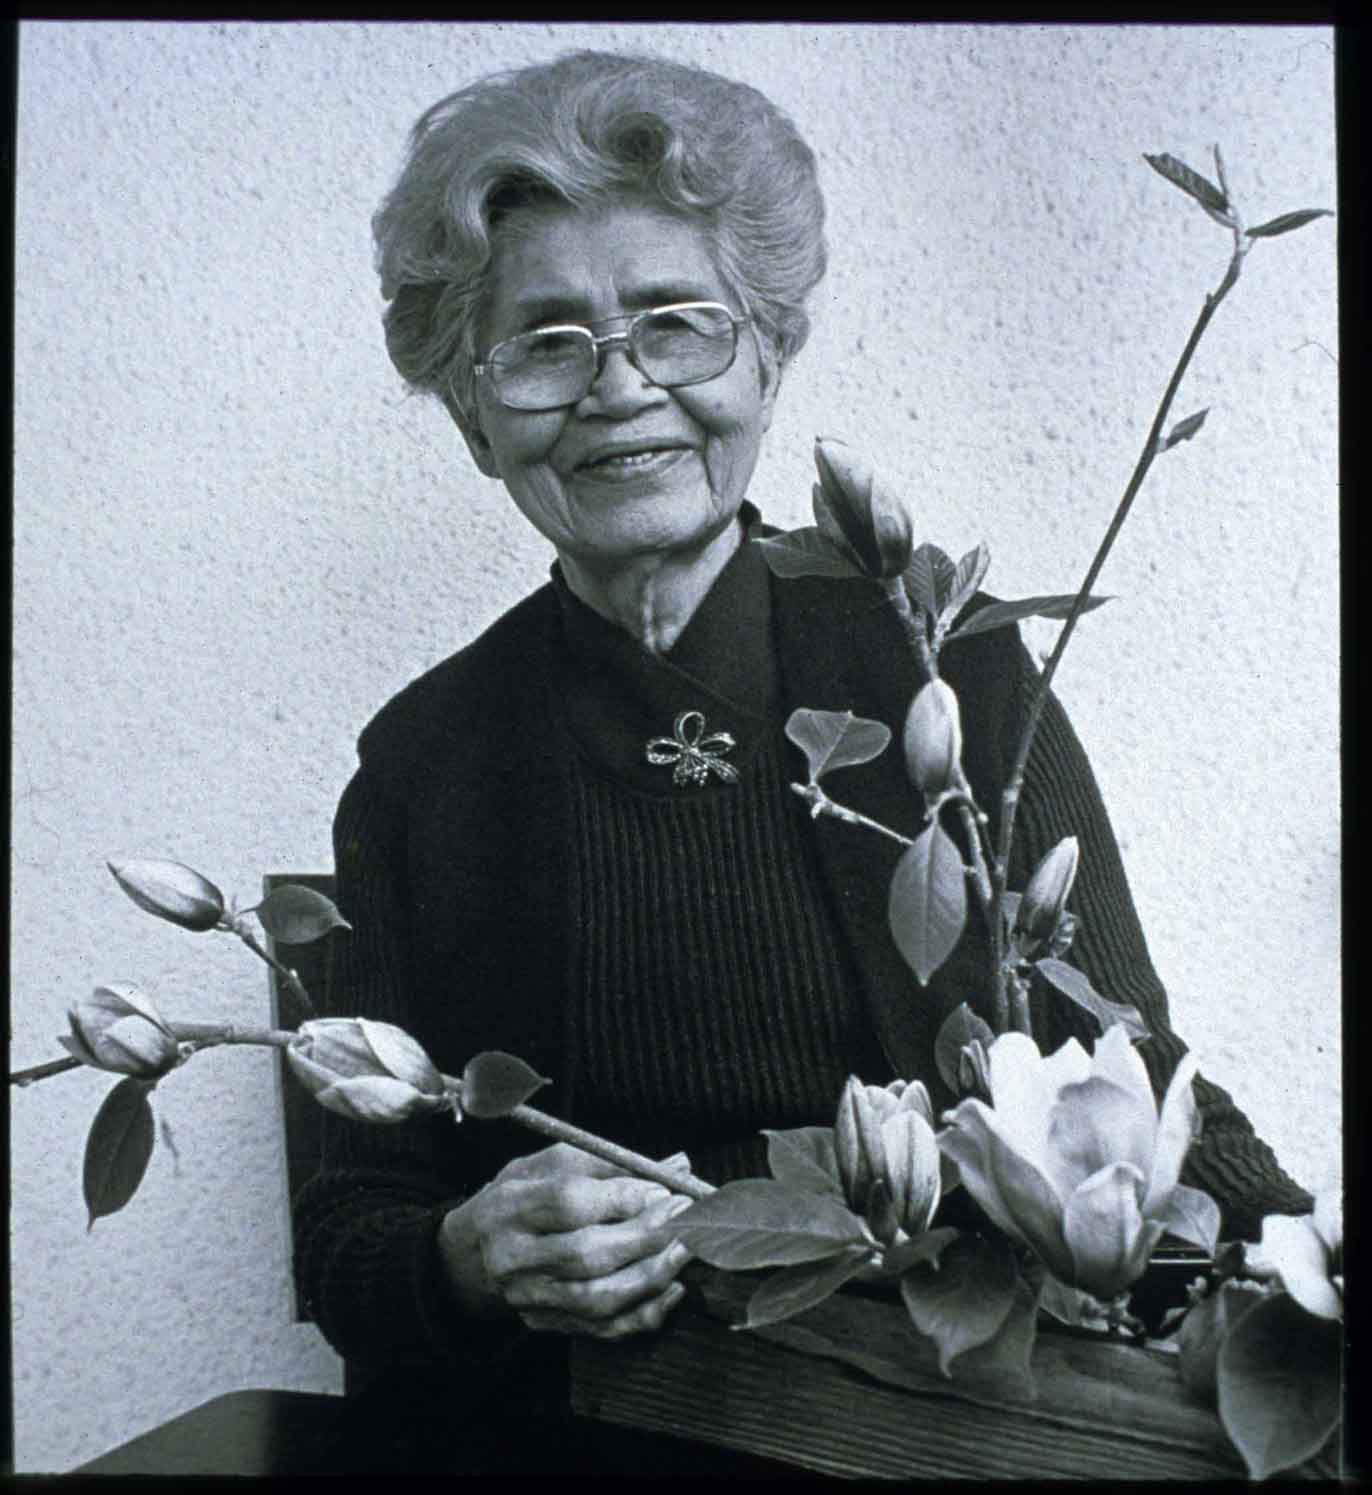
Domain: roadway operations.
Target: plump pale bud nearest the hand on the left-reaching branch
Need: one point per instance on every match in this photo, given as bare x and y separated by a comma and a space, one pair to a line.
367, 1071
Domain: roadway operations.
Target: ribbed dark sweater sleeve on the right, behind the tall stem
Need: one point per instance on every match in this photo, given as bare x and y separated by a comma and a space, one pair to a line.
1062, 799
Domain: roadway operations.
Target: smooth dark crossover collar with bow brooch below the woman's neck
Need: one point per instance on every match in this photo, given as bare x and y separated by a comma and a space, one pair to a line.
720, 676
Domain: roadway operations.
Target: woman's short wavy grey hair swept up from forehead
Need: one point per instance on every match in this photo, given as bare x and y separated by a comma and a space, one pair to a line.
588, 131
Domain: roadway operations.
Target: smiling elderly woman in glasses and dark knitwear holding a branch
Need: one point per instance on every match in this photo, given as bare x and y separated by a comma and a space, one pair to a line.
600, 267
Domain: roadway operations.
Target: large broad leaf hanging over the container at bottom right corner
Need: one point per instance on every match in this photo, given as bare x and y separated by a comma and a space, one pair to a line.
1280, 1385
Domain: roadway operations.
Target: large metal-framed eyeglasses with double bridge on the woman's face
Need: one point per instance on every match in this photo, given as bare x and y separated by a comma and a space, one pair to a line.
687, 343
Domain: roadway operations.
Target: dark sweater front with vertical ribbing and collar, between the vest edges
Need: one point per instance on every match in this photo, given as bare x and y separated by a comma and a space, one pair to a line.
711, 992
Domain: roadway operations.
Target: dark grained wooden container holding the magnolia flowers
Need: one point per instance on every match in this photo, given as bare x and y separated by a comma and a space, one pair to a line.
851, 1390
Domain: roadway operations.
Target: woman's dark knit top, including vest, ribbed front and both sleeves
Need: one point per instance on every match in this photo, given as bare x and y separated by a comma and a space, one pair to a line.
688, 964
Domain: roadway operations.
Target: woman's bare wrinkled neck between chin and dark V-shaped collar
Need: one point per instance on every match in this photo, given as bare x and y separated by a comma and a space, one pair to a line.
654, 597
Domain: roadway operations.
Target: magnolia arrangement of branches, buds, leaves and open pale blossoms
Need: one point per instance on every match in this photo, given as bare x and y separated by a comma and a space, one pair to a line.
1071, 1161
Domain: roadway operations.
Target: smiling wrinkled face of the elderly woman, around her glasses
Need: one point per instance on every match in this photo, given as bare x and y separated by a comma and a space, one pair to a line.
687, 455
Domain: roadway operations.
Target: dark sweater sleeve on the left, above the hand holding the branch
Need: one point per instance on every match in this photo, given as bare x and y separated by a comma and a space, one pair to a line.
367, 1225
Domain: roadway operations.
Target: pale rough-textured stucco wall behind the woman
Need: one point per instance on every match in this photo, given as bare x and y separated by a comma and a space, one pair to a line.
235, 537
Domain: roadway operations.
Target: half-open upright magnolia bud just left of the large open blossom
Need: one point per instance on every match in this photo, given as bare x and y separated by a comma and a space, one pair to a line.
889, 1156
